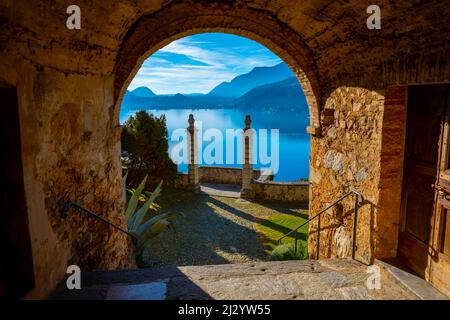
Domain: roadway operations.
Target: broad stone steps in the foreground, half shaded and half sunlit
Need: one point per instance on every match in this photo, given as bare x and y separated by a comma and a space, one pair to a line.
342, 279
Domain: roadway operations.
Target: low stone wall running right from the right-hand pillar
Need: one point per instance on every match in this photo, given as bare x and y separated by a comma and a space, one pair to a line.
281, 191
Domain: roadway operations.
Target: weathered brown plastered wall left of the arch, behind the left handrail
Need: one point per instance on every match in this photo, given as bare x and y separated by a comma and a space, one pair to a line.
67, 155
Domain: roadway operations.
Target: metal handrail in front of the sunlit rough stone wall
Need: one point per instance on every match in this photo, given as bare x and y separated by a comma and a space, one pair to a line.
318, 215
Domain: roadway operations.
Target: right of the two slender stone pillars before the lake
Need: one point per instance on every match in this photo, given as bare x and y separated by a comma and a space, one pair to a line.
247, 168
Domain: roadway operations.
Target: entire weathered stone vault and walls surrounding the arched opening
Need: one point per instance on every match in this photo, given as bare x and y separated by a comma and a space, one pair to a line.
70, 84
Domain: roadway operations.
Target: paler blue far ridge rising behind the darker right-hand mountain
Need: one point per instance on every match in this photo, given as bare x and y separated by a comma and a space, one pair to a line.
246, 82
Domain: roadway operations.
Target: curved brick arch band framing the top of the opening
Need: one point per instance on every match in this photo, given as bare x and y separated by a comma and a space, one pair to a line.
152, 32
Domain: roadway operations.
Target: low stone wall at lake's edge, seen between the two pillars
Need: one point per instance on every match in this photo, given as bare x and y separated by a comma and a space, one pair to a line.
224, 175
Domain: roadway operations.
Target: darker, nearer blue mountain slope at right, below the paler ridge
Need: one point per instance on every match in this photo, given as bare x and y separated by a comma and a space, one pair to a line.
282, 95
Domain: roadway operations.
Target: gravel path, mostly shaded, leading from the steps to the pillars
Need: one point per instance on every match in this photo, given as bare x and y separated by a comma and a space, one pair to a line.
212, 230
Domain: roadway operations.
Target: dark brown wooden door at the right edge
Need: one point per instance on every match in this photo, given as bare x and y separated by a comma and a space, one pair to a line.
426, 150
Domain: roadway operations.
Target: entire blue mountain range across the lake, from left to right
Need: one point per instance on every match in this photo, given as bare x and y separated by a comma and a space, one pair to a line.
264, 87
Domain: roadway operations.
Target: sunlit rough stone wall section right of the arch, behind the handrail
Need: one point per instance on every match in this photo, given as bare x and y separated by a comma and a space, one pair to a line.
347, 156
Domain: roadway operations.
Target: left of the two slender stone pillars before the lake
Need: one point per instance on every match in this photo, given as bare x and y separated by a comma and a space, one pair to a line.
193, 173
